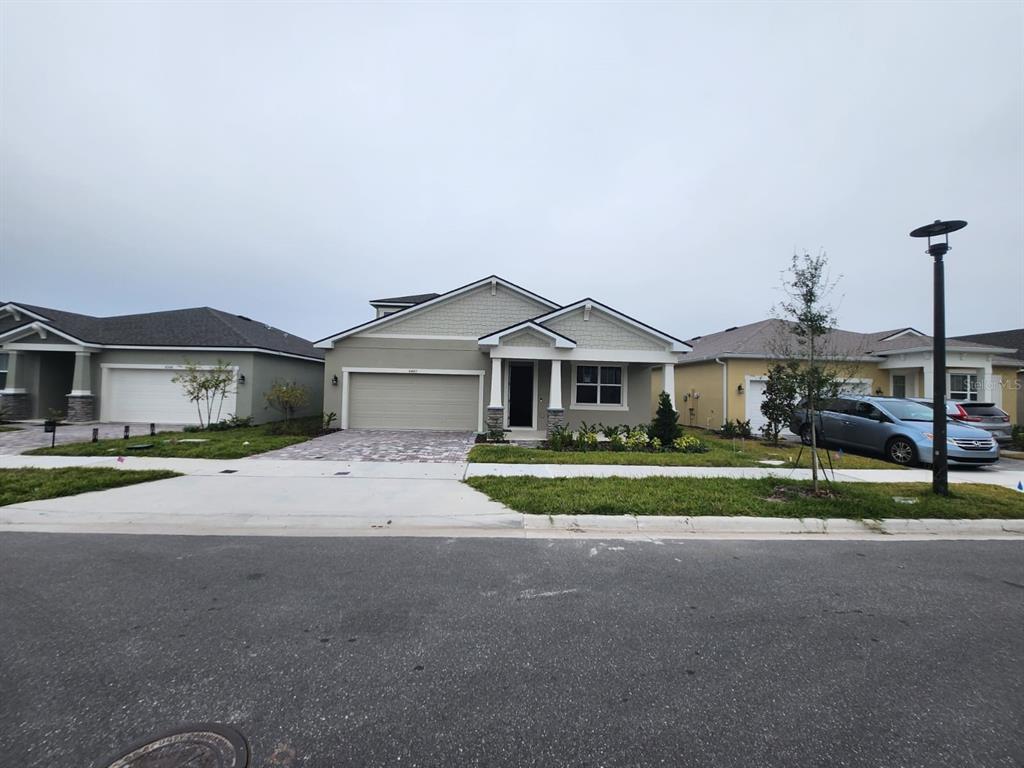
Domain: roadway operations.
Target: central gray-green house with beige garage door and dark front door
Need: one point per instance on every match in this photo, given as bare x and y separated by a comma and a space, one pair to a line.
494, 356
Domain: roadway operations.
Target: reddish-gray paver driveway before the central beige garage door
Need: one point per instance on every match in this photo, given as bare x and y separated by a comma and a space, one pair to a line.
381, 446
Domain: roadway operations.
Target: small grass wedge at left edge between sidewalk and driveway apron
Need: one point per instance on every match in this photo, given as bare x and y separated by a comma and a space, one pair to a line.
29, 485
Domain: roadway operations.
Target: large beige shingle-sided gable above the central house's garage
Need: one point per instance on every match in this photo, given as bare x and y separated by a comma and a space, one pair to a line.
474, 314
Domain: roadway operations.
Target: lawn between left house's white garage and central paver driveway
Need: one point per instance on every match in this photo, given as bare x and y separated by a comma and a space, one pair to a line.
230, 444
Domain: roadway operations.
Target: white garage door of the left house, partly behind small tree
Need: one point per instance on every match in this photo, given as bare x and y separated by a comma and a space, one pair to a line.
146, 396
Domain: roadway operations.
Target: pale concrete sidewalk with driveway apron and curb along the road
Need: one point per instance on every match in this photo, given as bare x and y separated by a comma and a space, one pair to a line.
325, 498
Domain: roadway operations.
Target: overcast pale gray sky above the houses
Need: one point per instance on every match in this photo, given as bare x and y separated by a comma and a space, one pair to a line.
292, 161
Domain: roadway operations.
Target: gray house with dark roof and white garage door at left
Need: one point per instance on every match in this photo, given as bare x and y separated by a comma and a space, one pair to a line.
120, 369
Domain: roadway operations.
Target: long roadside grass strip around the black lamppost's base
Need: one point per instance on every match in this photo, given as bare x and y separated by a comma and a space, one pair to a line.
761, 498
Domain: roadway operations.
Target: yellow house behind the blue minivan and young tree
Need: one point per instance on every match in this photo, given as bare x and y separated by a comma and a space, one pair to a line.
723, 379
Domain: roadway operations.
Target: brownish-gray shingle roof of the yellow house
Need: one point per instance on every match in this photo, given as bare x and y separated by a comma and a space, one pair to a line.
765, 338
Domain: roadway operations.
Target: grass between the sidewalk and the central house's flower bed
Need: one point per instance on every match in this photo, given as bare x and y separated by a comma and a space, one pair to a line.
723, 453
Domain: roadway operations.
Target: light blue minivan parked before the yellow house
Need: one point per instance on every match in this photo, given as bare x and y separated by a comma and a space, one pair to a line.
899, 429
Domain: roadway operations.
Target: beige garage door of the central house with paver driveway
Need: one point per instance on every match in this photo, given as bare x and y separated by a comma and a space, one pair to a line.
414, 402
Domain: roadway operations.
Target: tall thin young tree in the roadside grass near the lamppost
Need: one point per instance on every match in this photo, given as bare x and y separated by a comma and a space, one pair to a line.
810, 321
